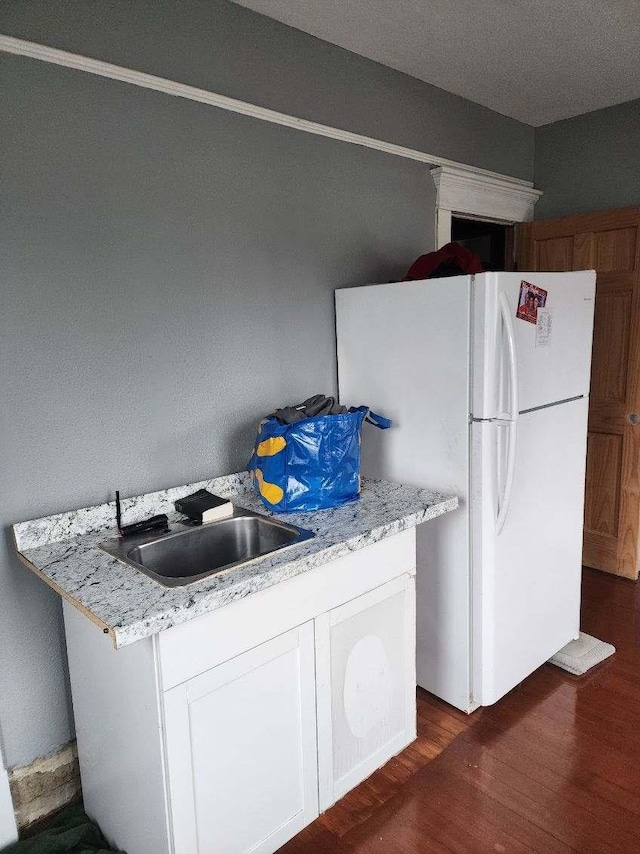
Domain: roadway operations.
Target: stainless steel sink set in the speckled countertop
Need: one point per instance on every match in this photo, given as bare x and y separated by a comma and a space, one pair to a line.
189, 553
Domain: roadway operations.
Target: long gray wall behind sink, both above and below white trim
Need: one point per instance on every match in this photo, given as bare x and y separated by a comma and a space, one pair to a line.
168, 268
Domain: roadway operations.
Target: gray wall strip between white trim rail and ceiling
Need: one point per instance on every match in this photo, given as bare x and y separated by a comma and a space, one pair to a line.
220, 46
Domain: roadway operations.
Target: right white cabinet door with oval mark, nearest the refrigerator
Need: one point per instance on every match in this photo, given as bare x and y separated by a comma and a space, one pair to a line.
365, 670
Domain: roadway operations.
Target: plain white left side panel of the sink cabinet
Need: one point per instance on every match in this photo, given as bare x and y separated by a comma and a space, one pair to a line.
118, 725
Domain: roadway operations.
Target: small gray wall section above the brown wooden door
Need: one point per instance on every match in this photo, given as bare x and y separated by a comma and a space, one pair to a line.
590, 162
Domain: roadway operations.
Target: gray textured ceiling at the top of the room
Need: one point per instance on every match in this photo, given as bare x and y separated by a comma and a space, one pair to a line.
534, 60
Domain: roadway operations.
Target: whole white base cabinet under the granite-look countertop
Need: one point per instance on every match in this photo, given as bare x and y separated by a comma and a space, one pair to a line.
226, 734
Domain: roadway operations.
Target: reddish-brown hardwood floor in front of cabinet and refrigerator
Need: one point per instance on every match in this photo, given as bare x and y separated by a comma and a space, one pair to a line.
553, 767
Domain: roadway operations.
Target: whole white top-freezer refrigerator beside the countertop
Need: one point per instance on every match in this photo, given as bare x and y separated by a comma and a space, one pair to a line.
486, 378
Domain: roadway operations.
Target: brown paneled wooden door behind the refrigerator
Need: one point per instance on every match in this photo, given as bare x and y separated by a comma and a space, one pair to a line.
609, 243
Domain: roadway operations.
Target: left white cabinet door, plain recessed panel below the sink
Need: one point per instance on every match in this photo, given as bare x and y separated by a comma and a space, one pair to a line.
242, 751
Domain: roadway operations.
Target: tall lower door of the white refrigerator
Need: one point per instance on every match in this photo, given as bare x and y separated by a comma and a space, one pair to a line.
526, 580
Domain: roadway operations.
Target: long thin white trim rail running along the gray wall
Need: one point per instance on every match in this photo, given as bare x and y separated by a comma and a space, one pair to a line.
20, 47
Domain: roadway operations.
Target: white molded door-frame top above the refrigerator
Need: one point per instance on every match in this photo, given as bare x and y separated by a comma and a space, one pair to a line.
469, 194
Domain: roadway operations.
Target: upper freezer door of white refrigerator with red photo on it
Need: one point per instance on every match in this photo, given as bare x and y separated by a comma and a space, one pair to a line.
550, 367
